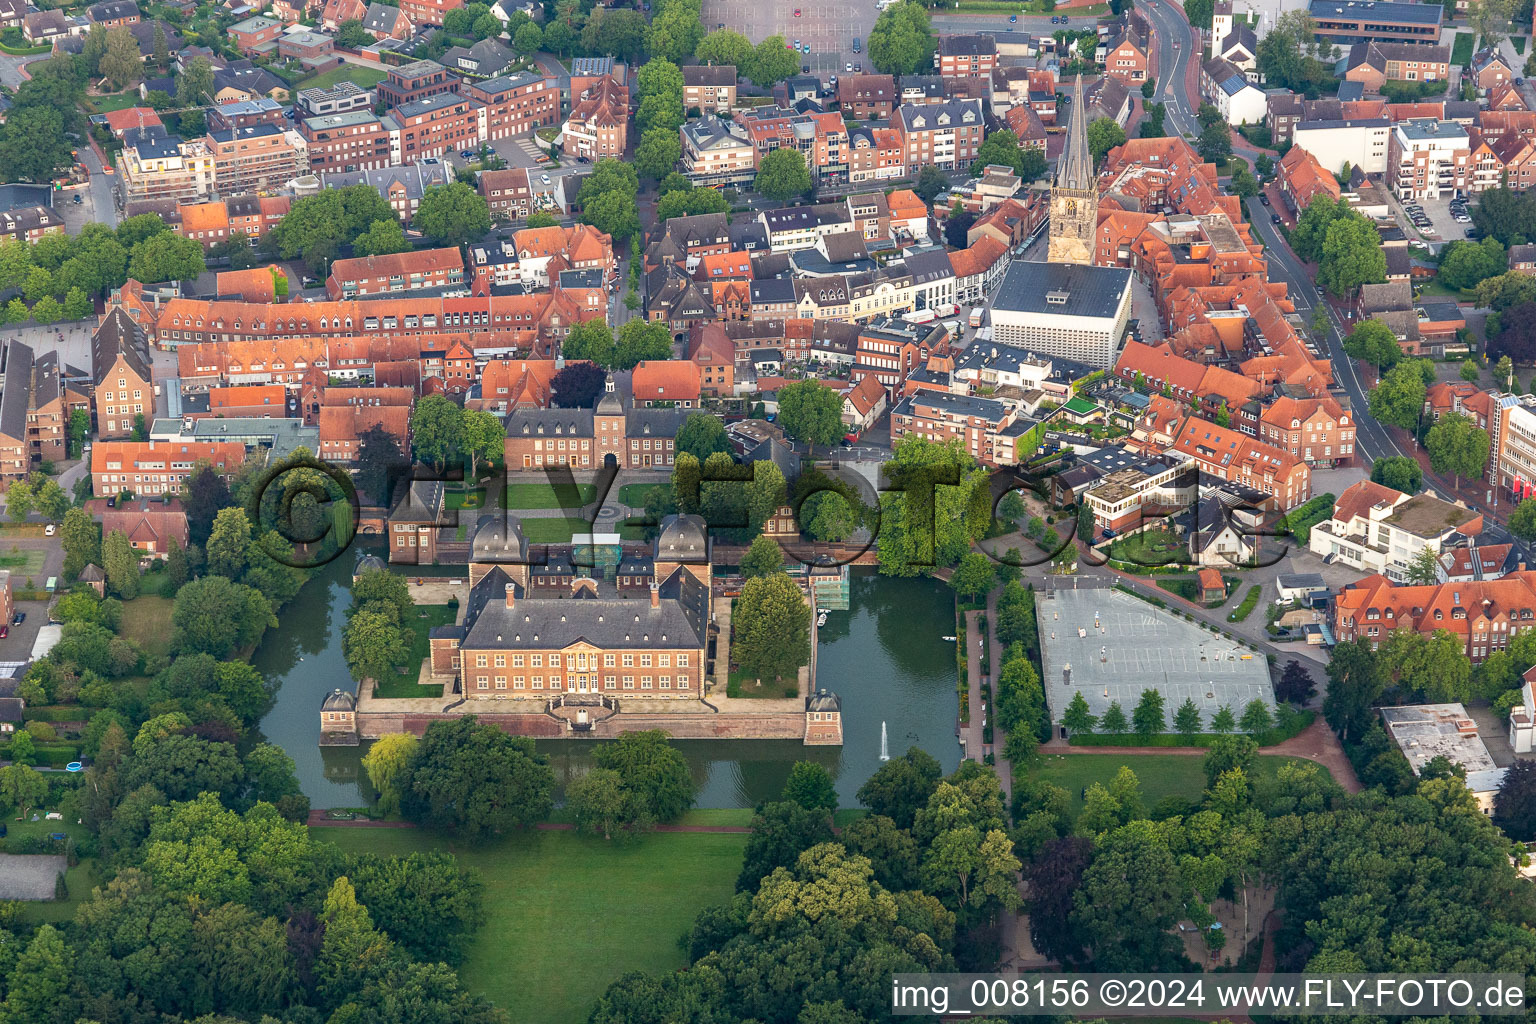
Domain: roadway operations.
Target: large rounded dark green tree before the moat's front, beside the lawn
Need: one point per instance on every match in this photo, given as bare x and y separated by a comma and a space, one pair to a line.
475, 781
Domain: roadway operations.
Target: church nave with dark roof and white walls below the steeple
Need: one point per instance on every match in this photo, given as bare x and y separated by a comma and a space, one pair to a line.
1070, 311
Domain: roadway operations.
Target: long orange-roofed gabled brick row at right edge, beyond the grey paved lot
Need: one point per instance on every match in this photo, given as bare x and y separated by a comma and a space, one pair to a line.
1483, 615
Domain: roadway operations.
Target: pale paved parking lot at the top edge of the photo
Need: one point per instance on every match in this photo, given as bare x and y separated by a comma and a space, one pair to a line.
827, 28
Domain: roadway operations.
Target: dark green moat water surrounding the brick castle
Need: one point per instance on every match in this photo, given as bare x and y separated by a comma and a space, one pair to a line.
884, 658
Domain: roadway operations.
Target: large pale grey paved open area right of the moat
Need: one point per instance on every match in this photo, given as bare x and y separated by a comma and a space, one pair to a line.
1110, 647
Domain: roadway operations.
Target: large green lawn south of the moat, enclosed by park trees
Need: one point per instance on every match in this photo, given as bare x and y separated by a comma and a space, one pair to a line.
558, 902
